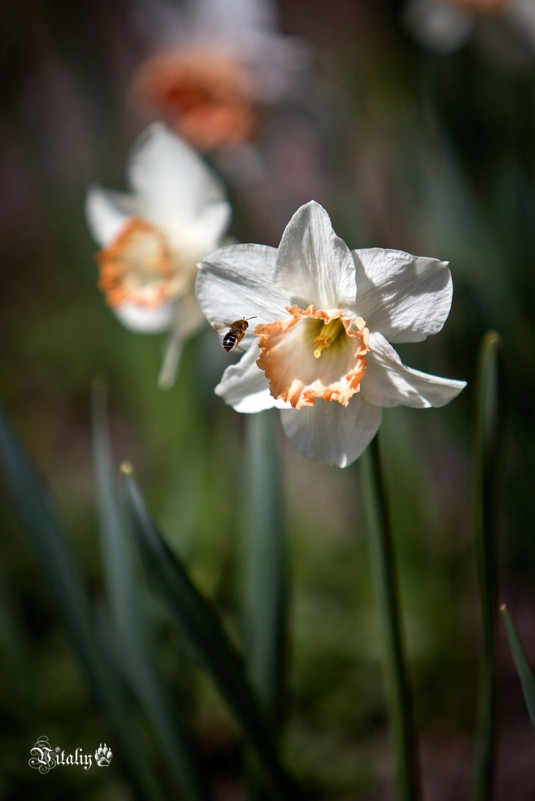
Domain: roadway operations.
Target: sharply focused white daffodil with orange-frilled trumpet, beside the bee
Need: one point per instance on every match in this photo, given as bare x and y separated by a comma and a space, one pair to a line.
326, 316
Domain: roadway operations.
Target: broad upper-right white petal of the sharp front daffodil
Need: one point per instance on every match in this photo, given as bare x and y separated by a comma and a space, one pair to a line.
405, 297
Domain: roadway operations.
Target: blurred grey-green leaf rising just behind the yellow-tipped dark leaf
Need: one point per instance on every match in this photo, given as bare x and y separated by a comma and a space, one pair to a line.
129, 618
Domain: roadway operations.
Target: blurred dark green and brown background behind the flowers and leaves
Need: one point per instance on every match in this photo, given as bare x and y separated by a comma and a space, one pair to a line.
407, 148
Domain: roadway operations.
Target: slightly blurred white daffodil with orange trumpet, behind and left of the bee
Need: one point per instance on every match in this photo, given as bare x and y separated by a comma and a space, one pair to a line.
153, 237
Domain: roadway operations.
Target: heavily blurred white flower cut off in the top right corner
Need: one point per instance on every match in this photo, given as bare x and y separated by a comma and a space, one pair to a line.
505, 27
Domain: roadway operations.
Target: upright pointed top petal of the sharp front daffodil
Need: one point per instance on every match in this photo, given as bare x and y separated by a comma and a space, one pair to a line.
314, 266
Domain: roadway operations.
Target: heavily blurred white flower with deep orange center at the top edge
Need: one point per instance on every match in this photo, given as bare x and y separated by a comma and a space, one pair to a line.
214, 66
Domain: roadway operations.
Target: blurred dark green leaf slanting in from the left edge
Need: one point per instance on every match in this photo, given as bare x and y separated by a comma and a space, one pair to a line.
64, 582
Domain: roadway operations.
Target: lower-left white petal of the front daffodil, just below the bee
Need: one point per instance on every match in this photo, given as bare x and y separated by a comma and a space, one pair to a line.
245, 387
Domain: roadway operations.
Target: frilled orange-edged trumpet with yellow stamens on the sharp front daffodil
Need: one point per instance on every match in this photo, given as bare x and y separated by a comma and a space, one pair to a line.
314, 354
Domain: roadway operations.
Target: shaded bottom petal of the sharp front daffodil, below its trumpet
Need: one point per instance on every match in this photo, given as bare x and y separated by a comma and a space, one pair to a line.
329, 433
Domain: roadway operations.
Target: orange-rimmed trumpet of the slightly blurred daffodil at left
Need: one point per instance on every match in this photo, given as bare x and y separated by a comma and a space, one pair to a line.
137, 267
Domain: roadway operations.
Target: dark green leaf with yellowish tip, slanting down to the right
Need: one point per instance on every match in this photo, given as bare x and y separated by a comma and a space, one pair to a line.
197, 620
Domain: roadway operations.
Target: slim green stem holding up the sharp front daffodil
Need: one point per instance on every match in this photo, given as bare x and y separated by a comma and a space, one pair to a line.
397, 687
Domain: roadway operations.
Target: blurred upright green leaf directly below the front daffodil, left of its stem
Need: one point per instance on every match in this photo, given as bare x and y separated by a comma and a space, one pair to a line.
265, 570
